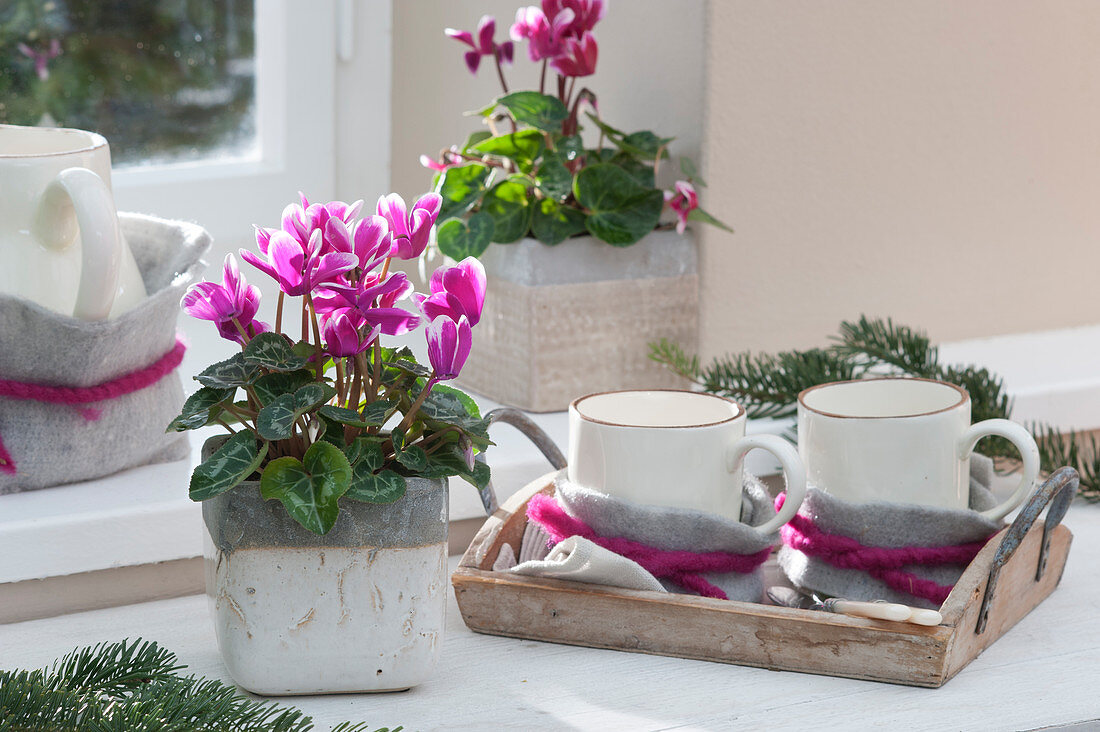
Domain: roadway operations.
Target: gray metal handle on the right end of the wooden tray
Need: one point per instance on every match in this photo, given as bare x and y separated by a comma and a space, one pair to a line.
1059, 493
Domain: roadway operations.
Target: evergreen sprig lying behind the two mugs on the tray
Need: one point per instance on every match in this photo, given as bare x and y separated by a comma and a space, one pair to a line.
768, 385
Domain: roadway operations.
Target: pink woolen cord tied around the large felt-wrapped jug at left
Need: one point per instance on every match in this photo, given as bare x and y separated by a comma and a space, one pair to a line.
79, 396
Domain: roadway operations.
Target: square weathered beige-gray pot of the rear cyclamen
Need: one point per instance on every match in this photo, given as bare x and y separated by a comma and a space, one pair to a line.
577, 319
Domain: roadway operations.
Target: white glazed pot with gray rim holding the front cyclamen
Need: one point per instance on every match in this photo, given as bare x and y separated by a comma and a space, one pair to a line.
359, 609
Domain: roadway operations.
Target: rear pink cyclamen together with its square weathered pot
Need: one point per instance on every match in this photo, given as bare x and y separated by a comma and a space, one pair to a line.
574, 213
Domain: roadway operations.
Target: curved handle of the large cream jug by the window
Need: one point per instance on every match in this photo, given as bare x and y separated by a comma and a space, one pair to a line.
101, 236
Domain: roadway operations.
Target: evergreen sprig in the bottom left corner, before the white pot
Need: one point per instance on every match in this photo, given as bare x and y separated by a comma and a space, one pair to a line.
134, 687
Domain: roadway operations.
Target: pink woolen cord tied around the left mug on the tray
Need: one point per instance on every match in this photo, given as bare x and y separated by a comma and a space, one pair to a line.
684, 569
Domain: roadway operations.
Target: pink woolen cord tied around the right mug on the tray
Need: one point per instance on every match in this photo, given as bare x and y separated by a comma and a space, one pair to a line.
884, 564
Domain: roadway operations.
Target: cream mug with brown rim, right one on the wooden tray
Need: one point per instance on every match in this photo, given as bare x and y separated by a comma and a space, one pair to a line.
901, 441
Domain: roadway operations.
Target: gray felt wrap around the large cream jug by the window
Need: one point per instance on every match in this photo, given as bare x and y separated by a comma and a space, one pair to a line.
53, 444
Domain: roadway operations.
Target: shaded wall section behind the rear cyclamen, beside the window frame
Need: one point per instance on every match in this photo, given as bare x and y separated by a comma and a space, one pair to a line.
650, 75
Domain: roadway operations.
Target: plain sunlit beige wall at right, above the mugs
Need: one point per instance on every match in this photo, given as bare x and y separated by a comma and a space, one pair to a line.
936, 161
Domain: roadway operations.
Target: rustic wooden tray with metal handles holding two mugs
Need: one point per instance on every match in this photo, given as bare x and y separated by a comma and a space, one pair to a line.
1016, 572
